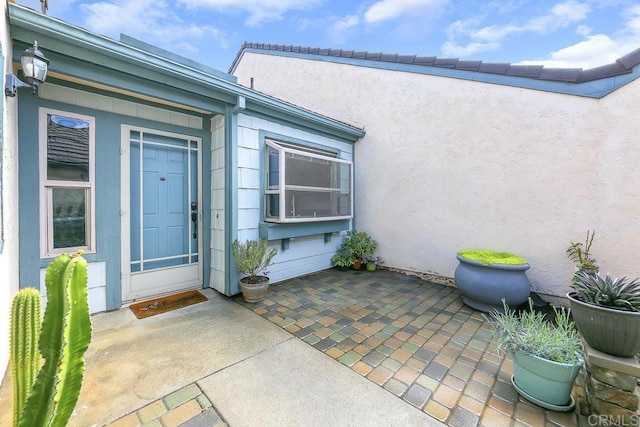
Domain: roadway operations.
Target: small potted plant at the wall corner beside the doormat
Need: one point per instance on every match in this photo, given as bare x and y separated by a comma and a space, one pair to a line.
252, 258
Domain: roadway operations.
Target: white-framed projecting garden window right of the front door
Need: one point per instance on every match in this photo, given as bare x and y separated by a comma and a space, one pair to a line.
304, 185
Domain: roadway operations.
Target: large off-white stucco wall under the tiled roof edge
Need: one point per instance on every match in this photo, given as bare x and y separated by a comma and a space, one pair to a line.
449, 164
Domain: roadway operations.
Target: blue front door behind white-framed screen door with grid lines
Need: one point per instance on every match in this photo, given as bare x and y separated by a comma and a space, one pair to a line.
164, 214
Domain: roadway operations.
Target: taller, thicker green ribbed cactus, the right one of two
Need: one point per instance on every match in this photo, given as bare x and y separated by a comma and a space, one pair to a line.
64, 338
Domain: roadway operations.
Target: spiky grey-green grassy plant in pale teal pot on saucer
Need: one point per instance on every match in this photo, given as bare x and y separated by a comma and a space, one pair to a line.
547, 355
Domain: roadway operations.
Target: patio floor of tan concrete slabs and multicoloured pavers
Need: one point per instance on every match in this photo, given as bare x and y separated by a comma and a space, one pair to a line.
331, 348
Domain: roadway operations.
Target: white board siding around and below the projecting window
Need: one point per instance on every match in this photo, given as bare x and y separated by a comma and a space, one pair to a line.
305, 254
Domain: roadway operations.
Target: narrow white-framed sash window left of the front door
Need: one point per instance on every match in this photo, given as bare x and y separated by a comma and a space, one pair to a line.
67, 183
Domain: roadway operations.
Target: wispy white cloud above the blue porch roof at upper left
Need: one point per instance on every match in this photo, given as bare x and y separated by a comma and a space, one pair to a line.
150, 20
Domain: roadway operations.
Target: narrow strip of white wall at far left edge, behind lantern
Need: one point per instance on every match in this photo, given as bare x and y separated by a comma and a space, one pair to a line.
9, 255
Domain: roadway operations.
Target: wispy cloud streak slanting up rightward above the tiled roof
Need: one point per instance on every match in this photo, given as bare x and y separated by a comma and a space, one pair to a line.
480, 39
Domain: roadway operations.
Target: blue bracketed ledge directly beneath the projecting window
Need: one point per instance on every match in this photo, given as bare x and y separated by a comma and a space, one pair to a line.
285, 232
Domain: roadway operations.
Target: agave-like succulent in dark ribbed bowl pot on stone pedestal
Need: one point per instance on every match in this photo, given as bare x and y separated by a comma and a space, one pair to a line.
607, 312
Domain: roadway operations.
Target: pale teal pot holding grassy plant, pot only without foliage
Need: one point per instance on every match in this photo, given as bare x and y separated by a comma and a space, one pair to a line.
543, 381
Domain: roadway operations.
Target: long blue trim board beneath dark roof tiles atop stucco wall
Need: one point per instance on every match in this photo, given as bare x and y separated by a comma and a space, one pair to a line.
592, 89
